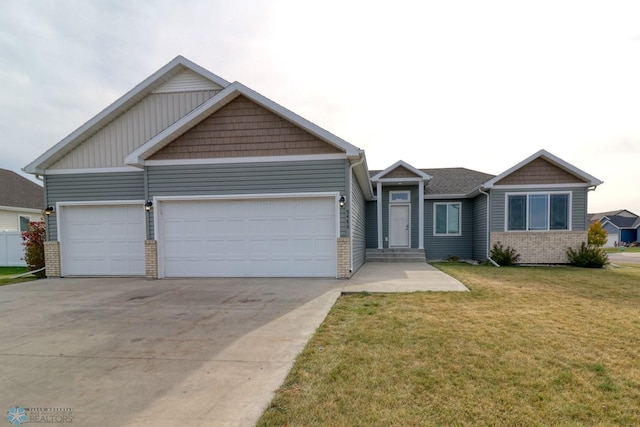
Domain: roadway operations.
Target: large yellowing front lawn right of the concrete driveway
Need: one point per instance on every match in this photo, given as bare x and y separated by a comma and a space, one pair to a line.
527, 346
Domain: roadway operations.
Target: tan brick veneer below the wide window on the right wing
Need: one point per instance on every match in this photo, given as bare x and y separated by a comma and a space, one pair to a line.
547, 247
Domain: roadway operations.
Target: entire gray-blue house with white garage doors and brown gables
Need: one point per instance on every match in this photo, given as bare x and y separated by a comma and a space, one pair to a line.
189, 175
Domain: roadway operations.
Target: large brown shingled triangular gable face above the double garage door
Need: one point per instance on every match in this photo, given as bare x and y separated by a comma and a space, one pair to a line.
243, 128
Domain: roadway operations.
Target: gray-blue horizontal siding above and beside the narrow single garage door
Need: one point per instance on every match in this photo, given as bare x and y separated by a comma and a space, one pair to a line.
91, 187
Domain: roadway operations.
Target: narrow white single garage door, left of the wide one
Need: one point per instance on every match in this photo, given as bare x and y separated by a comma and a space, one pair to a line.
106, 240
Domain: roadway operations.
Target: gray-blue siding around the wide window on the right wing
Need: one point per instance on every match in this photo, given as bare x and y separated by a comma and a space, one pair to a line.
578, 206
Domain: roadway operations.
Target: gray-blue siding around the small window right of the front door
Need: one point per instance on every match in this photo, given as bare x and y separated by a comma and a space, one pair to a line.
441, 247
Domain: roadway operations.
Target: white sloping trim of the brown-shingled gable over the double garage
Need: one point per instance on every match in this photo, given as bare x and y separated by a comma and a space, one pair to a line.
137, 157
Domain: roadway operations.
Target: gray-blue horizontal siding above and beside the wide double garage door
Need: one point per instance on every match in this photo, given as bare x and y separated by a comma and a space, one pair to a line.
250, 178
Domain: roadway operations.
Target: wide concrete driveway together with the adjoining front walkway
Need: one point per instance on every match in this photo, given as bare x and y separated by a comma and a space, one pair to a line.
132, 352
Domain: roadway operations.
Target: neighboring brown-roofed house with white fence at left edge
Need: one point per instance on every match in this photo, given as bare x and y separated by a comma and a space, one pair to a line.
21, 201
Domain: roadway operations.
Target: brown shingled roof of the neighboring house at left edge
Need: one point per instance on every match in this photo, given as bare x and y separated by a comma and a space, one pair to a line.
17, 191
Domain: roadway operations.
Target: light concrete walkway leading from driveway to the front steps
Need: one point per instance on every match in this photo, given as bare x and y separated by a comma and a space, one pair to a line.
387, 277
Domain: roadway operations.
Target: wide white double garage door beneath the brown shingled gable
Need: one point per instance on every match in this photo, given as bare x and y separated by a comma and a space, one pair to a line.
289, 237
